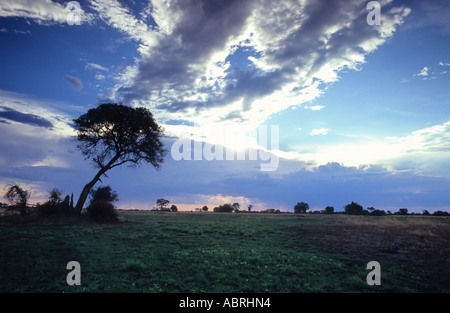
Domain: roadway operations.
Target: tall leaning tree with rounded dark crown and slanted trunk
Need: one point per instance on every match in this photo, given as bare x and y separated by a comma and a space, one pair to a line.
115, 134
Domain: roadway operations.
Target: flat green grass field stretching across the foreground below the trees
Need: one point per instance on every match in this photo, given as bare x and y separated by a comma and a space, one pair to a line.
224, 252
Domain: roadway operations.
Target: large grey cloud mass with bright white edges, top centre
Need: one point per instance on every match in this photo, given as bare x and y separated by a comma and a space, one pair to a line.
291, 48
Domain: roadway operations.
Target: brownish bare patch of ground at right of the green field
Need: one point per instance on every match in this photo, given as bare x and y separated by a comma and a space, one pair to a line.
417, 241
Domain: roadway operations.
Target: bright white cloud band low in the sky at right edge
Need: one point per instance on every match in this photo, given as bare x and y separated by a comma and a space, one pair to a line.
426, 151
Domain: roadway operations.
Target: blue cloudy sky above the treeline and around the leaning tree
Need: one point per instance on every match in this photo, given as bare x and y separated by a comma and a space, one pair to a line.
308, 100
